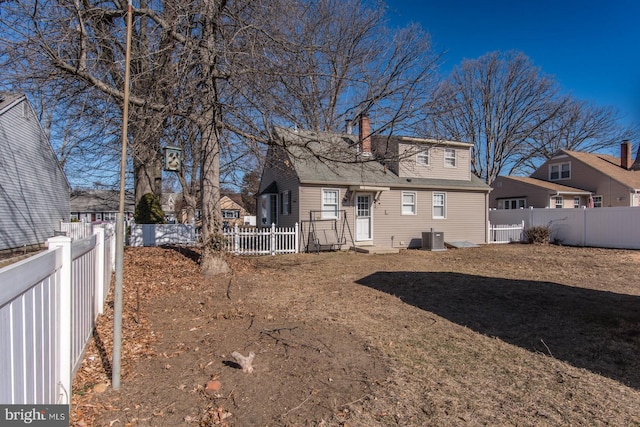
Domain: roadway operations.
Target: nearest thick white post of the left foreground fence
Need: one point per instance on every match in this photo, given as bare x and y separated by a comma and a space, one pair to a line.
64, 328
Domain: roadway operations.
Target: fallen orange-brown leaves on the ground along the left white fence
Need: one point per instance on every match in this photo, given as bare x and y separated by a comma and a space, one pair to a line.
148, 273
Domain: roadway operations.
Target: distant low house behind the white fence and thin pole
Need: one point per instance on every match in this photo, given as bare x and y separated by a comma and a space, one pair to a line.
100, 205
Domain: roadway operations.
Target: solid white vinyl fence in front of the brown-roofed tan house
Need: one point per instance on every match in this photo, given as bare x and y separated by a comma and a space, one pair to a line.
615, 227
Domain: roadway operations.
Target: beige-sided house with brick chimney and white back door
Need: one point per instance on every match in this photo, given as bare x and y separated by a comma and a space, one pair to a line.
315, 178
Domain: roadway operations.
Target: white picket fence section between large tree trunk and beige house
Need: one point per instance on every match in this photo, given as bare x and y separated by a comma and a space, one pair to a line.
262, 241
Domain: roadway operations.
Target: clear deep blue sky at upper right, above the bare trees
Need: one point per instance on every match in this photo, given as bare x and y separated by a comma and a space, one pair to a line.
592, 48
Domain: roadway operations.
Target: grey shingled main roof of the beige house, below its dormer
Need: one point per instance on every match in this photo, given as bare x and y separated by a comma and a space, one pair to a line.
326, 158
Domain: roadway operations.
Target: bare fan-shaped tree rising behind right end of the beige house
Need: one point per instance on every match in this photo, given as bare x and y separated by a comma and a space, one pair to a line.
498, 102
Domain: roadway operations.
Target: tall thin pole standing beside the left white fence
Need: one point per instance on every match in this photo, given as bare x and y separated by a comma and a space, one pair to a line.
120, 230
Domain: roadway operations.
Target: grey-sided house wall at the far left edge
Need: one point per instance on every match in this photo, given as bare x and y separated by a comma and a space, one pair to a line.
34, 191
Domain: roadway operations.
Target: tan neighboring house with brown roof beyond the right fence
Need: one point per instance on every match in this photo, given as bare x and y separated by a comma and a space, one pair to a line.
573, 179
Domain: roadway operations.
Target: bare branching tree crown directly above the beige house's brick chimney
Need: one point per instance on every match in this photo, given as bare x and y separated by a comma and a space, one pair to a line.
336, 60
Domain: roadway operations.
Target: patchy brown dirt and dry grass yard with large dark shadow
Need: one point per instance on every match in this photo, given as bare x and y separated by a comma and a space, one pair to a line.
497, 335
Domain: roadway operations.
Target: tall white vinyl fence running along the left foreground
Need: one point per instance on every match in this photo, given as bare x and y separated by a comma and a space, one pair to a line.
48, 307
